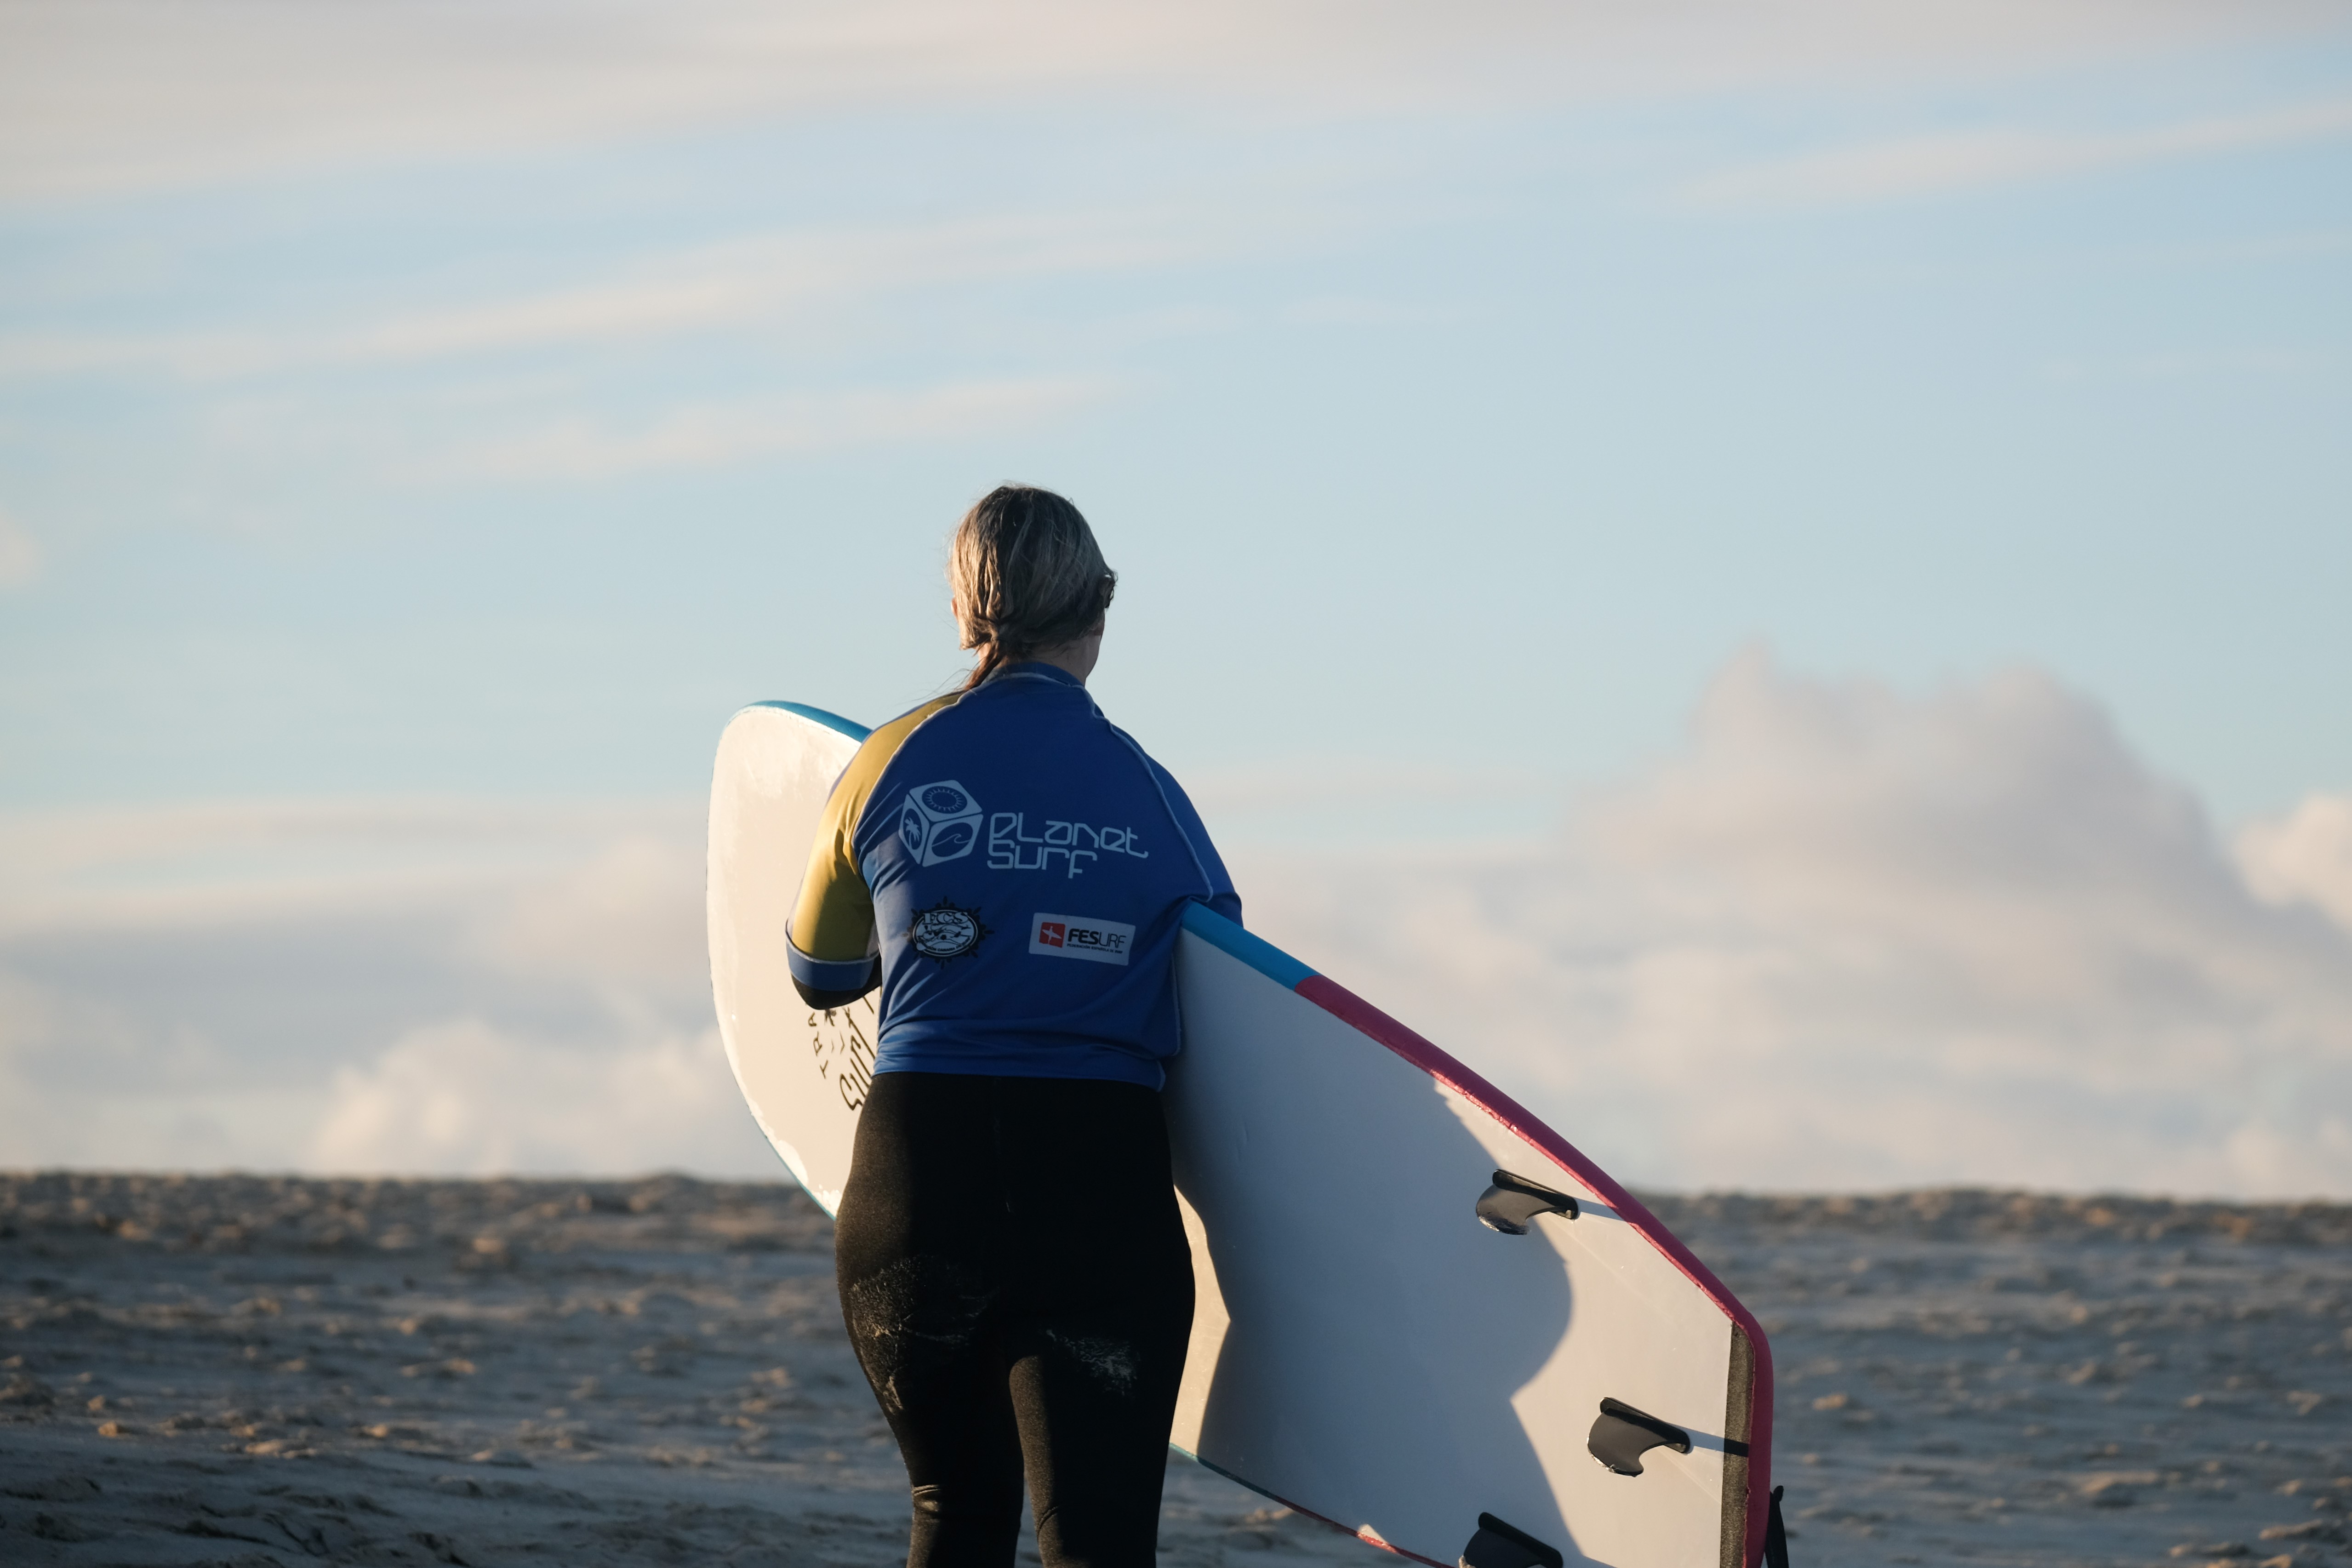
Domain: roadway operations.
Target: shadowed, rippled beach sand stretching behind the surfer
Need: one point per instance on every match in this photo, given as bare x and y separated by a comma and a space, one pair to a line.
281, 1372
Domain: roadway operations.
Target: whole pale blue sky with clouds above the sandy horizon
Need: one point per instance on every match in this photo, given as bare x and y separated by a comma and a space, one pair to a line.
1735, 504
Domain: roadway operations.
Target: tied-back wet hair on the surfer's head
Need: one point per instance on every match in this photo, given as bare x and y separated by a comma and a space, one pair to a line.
1027, 577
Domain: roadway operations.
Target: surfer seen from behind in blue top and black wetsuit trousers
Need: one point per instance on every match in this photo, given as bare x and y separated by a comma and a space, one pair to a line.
1013, 871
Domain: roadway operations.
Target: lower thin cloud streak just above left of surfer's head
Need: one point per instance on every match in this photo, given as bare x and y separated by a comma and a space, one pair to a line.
735, 431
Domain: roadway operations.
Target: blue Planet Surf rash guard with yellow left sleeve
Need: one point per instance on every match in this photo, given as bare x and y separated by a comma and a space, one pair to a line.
1013, 871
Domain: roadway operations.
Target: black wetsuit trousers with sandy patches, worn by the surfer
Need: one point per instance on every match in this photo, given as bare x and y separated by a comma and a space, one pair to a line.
1020, 1292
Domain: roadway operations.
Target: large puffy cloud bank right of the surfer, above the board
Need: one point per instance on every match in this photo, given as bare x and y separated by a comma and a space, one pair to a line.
1850, 939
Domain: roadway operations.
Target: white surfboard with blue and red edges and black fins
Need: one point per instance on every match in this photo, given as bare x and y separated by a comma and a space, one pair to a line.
1422, 1315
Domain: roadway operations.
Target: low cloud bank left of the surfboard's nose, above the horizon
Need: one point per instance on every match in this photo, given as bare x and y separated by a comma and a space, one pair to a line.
389, 986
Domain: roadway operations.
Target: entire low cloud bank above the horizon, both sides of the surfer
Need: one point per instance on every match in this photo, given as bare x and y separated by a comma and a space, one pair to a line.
1840, 939
